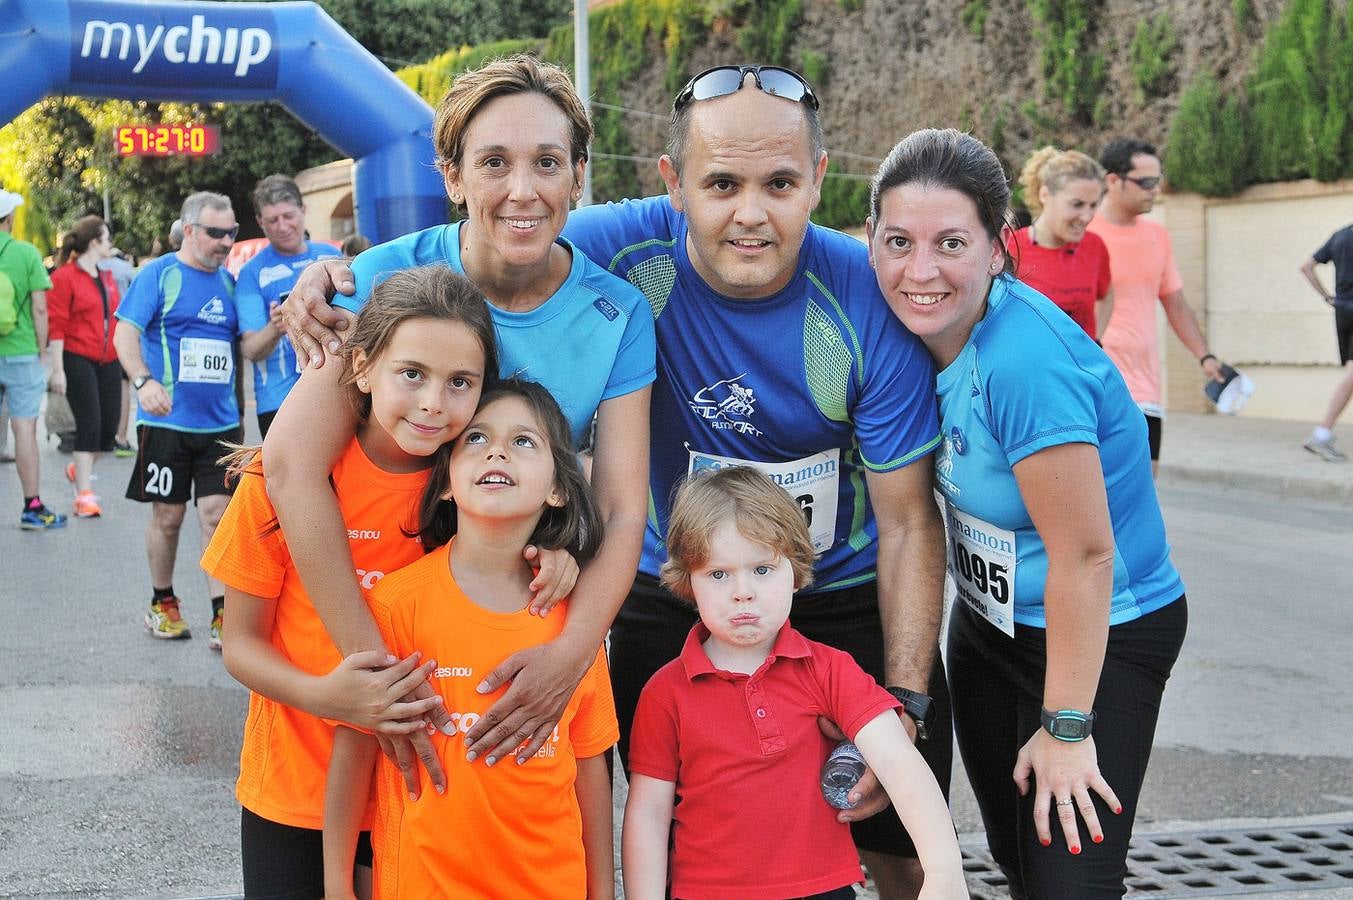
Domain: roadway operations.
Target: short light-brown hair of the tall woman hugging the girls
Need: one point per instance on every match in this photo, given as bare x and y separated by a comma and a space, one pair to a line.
520, 74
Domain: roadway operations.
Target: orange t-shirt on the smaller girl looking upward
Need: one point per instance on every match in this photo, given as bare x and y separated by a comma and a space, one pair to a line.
501, 832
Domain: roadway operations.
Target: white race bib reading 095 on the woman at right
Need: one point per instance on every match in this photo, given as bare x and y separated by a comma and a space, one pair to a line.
982, 562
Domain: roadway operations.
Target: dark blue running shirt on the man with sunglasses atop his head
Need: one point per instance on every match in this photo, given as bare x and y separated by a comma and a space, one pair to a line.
814, 385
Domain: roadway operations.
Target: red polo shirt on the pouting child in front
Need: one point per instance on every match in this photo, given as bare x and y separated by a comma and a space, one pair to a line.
746, 756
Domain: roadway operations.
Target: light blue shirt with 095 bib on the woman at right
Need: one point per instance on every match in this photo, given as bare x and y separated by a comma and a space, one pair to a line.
1028, 380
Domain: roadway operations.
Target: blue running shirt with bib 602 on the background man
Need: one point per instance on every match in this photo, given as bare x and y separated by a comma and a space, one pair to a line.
189, 324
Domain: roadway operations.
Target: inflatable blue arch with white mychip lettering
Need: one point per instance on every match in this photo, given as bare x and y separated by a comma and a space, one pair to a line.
228, 52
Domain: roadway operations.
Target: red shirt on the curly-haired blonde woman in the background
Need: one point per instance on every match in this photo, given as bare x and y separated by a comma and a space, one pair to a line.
1074, 275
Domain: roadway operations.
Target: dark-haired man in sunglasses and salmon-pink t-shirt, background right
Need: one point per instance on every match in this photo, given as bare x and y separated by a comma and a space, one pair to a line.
1144, 273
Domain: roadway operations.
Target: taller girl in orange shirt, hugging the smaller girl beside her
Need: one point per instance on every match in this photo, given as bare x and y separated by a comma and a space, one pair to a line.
416, 366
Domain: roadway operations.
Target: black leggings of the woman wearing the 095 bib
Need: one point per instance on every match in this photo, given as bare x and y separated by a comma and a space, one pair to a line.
998, 691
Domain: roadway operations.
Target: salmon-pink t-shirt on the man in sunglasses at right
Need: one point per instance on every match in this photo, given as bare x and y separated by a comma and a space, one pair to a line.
1143, 265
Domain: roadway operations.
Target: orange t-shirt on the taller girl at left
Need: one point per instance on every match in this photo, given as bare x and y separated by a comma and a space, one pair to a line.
286, 753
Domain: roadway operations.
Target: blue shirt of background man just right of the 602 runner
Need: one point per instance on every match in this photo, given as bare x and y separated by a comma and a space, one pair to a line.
262, 282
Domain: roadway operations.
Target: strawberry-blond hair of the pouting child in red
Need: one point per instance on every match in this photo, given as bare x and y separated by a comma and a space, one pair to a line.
758, 508
